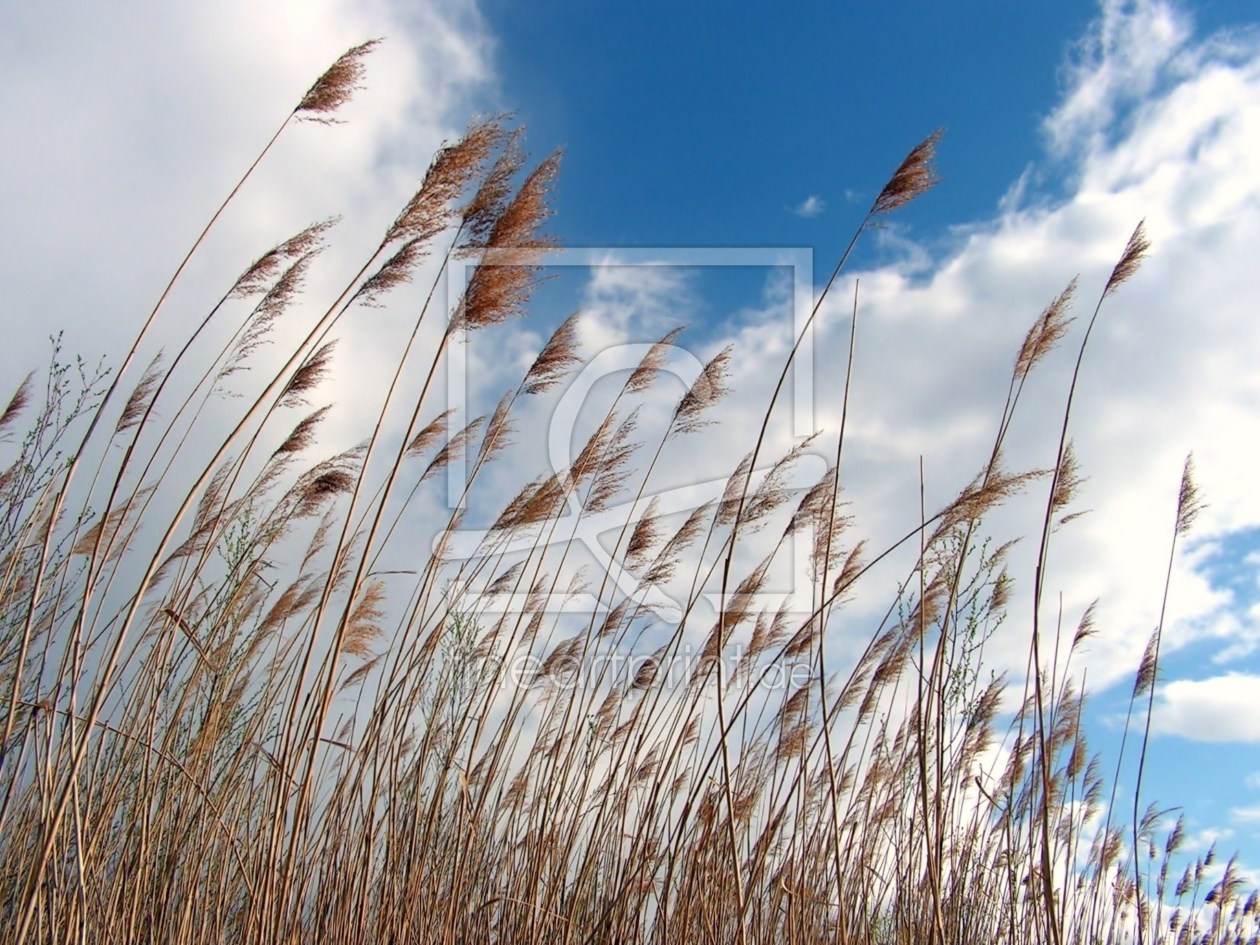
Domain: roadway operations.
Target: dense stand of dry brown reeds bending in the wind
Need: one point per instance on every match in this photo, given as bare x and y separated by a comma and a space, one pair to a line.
225, 721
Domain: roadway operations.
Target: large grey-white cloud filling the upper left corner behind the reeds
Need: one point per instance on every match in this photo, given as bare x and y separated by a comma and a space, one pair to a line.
119, 149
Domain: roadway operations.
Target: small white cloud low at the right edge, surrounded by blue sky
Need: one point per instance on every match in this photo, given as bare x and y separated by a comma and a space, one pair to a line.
1218, 710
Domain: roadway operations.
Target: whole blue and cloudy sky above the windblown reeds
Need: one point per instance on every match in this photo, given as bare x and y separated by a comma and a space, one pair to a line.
742, 147
